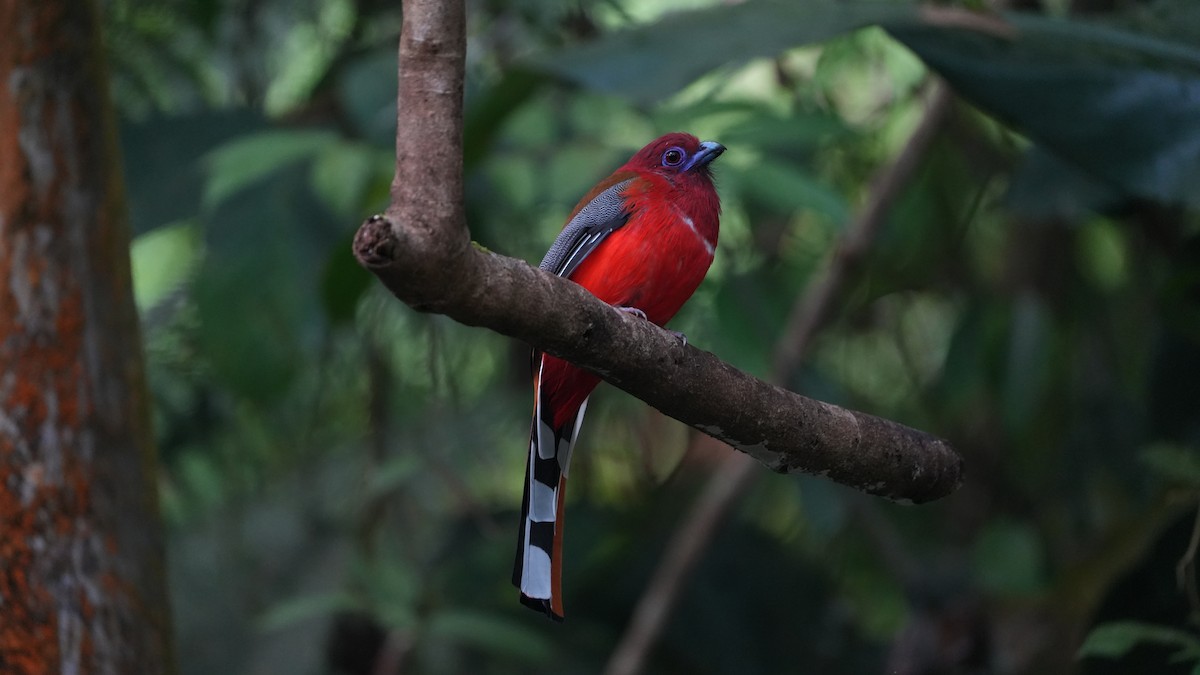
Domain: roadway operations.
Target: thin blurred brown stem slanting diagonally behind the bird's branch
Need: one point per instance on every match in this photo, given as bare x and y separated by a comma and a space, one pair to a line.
736, 474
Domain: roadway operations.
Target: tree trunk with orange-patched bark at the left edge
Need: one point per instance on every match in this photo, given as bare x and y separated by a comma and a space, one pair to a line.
82, 580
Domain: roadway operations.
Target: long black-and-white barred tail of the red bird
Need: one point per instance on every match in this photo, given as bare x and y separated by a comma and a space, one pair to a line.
538, 571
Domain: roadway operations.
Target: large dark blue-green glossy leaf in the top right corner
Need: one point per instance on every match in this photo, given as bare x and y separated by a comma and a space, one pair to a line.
1142, 95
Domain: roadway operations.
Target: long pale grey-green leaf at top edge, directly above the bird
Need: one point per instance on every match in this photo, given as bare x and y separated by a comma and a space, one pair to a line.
651, 63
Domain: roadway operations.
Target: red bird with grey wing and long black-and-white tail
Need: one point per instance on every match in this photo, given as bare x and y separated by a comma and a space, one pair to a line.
641, 241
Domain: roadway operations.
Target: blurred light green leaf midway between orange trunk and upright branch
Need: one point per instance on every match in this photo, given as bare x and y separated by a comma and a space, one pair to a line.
243, 162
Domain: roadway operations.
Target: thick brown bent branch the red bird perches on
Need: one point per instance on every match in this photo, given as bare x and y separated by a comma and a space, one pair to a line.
423, 254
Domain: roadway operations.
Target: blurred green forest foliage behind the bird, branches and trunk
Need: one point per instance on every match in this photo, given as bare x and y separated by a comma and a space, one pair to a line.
341, 476
